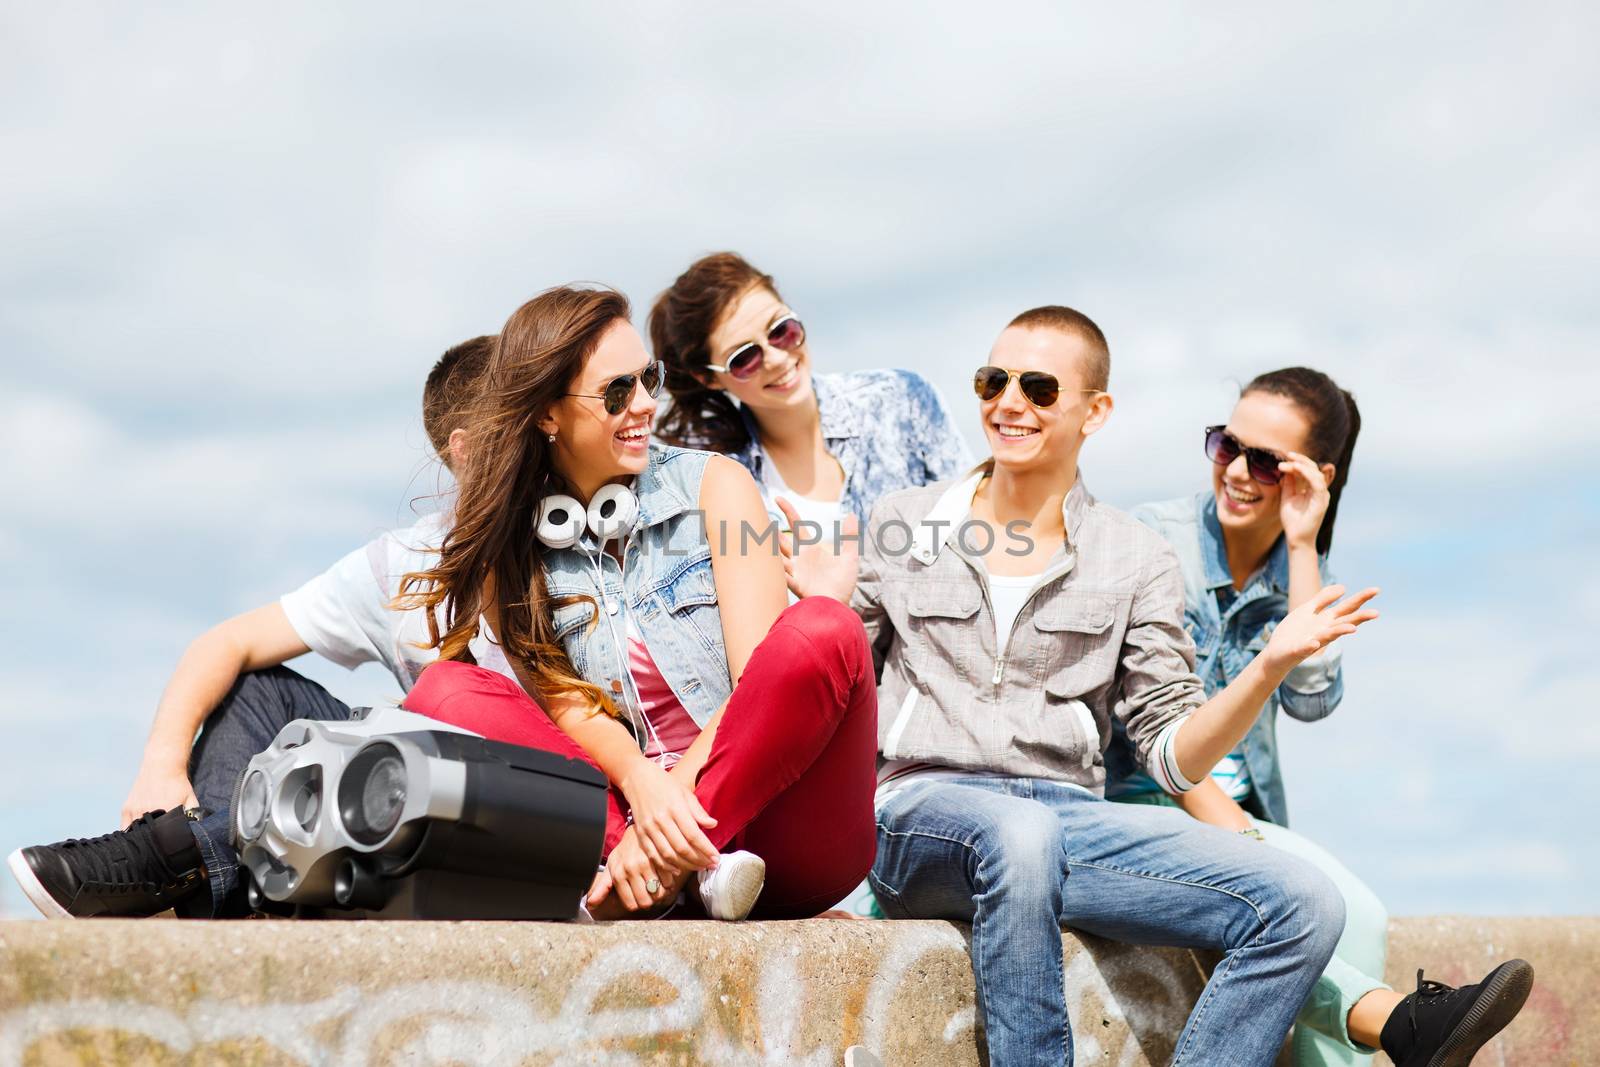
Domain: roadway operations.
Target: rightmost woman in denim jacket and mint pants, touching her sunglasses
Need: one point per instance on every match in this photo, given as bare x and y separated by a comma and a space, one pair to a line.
1254, 548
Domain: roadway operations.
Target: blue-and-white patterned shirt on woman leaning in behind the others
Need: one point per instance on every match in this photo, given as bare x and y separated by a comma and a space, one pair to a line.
889, 430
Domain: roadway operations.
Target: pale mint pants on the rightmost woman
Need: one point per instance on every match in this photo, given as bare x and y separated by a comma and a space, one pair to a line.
1322, 1037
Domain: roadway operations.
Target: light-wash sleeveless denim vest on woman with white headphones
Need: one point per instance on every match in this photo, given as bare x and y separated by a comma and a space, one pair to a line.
666, 588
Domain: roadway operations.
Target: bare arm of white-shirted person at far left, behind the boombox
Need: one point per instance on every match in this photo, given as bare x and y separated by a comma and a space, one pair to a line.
209, 669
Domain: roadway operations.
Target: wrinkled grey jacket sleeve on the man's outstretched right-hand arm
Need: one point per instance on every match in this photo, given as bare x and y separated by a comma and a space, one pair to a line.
1158, 687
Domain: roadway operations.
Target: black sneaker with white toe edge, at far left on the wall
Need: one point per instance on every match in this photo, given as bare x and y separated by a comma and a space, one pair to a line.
140, 871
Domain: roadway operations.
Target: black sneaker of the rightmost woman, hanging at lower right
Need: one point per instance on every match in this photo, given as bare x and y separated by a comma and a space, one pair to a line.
1439, 1026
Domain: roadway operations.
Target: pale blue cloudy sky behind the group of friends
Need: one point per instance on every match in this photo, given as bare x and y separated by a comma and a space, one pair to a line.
231, 247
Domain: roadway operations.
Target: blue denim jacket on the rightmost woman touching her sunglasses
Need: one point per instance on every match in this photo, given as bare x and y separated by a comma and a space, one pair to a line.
1226, 641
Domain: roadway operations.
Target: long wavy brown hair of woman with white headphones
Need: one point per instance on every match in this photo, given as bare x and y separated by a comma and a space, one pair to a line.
510, 470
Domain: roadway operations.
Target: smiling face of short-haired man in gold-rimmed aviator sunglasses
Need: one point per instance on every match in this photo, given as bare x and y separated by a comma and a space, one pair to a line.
1025, 438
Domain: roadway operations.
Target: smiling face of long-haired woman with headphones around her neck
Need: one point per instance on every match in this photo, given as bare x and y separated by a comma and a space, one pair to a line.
594, 447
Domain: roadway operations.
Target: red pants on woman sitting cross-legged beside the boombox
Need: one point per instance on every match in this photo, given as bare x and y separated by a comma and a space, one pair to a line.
791, 770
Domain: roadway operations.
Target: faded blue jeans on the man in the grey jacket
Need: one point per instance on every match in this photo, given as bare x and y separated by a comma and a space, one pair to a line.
1018, 858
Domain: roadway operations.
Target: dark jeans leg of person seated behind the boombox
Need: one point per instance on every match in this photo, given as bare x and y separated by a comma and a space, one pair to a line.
260, 705
